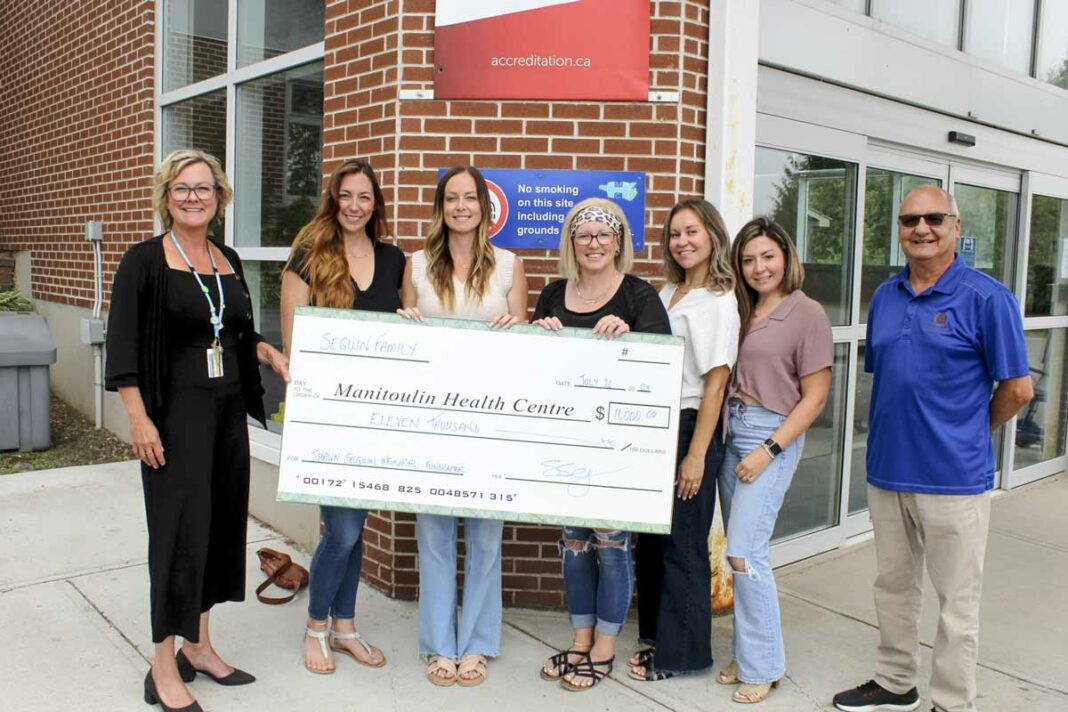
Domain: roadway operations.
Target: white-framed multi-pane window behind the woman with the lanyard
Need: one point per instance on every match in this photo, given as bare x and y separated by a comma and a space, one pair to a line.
268, 57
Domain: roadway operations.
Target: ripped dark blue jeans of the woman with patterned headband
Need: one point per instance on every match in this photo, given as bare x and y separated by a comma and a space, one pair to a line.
599, 578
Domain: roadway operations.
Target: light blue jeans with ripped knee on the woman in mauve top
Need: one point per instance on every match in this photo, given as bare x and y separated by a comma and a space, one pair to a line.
749, 515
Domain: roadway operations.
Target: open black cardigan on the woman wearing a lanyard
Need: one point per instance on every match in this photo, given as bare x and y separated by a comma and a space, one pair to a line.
137, 342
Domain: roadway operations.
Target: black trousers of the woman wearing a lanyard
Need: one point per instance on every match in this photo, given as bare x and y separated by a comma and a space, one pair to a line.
198, 505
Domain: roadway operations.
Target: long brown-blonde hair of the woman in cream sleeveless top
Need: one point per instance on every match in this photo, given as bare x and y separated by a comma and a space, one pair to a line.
439, 261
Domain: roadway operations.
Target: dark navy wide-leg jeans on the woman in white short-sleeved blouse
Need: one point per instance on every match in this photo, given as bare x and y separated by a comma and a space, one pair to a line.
674, 577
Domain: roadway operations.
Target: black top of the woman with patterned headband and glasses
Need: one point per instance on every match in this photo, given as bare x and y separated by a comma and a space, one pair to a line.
636, 303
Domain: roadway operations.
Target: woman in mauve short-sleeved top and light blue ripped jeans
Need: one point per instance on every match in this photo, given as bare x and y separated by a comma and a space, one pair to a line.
779, 388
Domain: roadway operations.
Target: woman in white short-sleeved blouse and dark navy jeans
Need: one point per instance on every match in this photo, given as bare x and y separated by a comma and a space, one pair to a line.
674, 579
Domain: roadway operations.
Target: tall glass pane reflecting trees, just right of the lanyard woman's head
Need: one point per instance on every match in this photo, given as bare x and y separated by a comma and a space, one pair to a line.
280, 155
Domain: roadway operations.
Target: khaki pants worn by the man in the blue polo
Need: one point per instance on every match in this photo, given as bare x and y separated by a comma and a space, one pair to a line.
951, 533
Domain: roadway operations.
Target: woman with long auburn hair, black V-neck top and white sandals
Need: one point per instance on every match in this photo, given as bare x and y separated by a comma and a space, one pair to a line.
341, 260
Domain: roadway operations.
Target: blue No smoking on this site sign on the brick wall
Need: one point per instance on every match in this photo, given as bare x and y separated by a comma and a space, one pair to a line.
529, 207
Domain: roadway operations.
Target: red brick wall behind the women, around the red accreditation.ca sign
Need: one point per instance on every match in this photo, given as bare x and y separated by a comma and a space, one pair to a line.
375, 49
